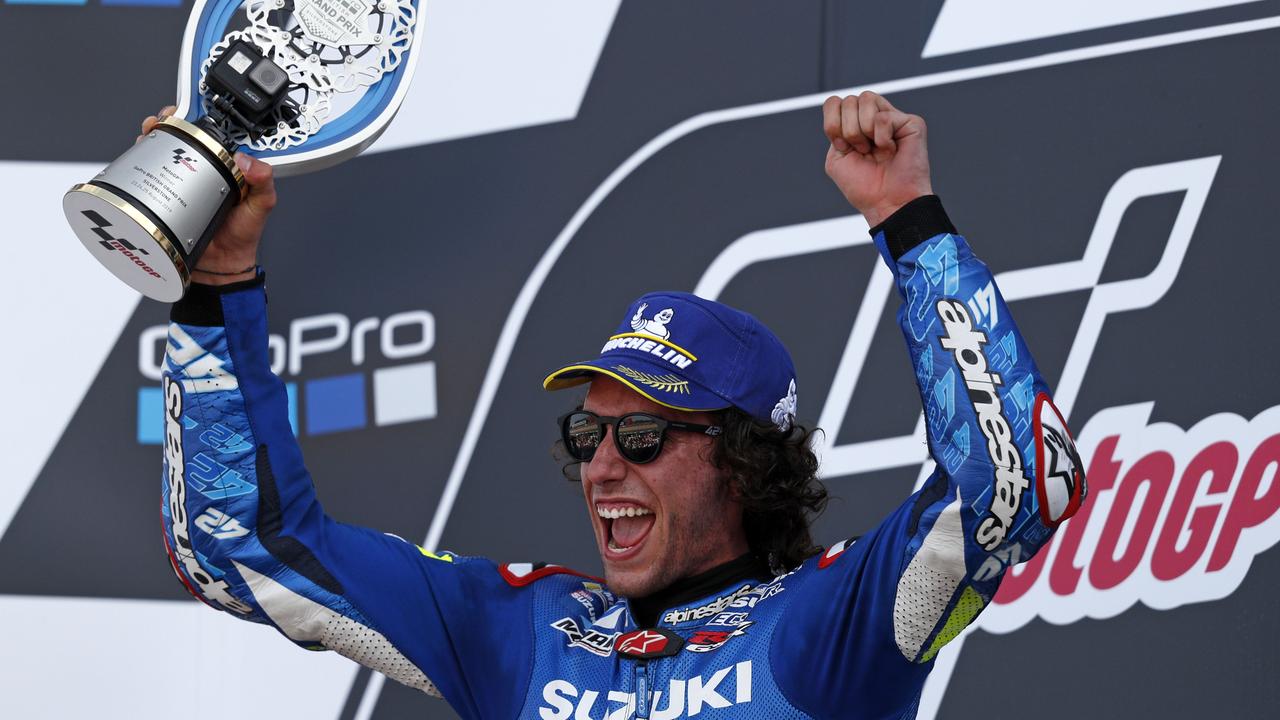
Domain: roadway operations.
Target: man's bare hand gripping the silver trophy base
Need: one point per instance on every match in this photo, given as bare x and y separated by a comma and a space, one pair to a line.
235, 244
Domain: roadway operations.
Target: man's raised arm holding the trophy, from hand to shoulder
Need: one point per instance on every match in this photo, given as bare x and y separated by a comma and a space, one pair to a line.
246, 534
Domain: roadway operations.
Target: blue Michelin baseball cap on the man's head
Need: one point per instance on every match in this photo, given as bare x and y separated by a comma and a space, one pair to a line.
693, 354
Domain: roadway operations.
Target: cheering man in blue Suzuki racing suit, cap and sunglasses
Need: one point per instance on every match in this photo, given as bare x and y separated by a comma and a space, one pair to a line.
698, 481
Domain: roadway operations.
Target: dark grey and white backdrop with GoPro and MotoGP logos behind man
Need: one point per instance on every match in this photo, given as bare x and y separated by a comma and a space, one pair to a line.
1113, 166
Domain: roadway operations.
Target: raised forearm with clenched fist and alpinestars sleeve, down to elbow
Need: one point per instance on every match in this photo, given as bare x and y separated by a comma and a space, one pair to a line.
993, 429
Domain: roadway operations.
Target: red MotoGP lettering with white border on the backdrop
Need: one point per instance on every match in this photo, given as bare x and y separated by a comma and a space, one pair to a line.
1176, 517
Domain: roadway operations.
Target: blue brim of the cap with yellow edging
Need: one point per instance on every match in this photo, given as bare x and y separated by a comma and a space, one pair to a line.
656, 382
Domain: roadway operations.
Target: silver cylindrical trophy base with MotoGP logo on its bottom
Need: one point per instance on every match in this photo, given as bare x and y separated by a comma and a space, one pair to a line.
149, 216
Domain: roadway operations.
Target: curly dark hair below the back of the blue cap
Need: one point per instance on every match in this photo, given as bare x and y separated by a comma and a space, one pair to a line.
775, 475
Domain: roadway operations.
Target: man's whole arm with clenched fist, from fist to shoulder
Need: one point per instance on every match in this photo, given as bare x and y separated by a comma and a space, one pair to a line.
1007, 472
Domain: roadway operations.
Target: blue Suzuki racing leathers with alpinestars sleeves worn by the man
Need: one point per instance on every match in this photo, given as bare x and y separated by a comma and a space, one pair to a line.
851, 634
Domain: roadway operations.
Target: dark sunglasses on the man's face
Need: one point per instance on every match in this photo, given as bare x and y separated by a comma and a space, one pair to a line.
638, 436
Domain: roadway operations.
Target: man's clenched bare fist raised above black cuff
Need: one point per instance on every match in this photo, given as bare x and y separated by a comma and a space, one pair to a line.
879, 157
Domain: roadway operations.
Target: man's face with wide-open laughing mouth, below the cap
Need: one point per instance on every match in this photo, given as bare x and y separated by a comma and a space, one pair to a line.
676, 517
